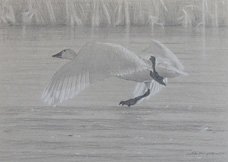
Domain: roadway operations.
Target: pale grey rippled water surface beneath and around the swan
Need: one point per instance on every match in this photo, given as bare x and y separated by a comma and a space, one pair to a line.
186, 121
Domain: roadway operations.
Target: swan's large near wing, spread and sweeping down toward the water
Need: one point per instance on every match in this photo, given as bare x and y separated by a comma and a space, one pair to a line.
95, 62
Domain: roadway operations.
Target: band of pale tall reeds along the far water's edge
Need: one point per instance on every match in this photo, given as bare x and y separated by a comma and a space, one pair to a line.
98, 13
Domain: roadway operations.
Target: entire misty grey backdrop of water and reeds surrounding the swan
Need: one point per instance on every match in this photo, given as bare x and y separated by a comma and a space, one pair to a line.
187, 121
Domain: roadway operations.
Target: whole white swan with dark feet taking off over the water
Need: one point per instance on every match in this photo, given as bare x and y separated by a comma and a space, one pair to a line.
97, 61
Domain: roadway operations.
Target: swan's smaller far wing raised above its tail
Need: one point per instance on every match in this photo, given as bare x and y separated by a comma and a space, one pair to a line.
163, 55
